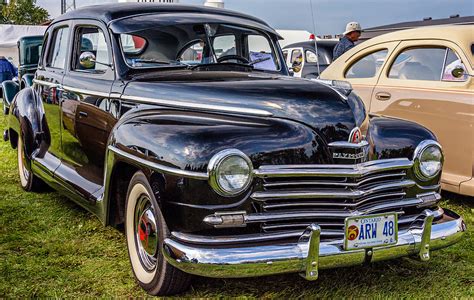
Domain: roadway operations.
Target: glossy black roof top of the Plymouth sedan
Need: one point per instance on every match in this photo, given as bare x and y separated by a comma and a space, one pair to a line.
108, 13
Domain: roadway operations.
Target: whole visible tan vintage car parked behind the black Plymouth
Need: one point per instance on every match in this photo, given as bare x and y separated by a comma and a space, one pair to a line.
423, 75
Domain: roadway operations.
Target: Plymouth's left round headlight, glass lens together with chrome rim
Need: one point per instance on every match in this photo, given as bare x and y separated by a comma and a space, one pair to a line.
230, 172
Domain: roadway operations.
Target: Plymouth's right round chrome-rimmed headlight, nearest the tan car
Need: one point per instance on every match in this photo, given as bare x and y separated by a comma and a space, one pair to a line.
428, 160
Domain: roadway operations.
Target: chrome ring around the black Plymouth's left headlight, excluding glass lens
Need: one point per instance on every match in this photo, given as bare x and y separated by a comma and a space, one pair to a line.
213, 171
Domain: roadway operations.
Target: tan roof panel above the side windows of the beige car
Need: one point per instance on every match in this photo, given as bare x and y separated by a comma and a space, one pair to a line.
462, 35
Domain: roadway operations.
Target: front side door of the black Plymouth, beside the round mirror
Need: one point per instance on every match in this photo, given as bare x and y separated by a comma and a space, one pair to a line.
87, 112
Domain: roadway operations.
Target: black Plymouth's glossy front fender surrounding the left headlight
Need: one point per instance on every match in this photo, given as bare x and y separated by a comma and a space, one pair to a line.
187, 141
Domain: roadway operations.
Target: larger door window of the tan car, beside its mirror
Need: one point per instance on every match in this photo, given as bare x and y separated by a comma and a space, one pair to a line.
418, 64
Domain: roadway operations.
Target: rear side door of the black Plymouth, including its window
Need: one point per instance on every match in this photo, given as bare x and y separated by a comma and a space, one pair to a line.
48, 85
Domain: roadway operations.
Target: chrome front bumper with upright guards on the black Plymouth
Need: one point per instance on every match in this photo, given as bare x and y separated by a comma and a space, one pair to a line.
309, 254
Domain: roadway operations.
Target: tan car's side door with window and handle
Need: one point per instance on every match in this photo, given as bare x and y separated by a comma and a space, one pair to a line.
417, 85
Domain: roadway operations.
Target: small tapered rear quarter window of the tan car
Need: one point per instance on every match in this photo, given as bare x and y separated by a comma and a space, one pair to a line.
368, 66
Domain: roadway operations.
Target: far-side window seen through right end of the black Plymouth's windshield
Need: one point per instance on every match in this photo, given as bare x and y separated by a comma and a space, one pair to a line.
261, 54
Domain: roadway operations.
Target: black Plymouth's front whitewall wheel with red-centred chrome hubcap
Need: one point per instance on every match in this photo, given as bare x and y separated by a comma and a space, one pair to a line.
145, 231
